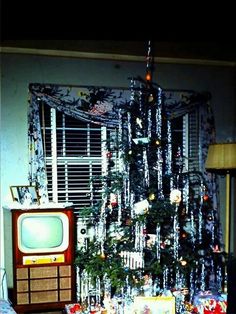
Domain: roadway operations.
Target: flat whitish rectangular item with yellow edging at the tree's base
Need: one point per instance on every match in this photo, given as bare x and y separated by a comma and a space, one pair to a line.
154, 305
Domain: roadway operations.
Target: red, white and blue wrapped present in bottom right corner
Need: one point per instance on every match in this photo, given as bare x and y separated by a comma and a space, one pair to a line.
209, 303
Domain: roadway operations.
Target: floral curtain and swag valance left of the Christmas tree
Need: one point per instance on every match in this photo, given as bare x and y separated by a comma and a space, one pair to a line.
99, 105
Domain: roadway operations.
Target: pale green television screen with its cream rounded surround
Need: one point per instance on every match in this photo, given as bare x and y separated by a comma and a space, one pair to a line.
43, 232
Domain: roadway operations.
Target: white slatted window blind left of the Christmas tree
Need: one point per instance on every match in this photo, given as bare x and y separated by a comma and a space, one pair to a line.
74, 153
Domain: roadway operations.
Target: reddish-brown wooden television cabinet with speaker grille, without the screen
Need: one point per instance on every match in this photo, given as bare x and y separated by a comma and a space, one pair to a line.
45, 285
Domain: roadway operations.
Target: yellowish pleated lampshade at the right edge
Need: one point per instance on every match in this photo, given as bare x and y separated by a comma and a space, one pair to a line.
221, 156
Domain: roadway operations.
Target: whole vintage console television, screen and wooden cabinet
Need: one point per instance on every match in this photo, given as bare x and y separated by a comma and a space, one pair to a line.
43, 255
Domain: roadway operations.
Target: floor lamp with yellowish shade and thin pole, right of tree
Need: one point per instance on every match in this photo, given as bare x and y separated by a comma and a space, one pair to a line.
221, 159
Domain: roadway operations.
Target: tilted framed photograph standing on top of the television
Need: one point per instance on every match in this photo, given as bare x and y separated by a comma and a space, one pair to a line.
25, 194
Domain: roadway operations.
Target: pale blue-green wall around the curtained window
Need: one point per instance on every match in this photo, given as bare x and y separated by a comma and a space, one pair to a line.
20, 70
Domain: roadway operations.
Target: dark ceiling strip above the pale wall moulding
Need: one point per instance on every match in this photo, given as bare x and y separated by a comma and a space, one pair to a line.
221, 51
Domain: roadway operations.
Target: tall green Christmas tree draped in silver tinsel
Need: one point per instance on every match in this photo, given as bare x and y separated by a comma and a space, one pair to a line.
155, 230
